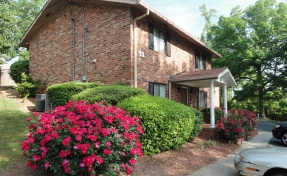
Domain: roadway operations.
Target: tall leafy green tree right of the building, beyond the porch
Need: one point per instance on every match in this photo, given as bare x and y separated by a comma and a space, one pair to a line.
253, 45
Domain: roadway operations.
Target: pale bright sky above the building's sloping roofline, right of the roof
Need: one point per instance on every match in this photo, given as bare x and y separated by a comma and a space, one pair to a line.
186, 13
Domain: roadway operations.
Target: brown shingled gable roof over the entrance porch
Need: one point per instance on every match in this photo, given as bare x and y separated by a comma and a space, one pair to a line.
202, 78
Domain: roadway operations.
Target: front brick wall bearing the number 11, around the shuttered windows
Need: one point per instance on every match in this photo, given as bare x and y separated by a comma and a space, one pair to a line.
157, 67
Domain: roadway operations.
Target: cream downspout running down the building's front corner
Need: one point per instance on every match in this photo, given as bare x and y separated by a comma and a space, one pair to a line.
135, 47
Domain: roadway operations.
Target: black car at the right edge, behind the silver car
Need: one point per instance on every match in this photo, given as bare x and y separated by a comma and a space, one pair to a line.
279, 131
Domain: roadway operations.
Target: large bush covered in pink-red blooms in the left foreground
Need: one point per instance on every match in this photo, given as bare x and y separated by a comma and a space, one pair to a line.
83, 139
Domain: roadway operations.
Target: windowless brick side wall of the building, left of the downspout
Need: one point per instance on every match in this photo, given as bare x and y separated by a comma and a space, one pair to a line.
108, 41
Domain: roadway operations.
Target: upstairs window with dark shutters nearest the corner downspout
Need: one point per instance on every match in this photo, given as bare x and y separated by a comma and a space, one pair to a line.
159, 41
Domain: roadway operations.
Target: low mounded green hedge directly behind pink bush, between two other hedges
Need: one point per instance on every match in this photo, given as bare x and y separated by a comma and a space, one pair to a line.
111, 94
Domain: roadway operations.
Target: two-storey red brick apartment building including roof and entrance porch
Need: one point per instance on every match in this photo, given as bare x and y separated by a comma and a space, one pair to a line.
123, 40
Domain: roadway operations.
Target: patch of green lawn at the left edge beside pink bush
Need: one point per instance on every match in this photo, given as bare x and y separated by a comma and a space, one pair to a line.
13, 129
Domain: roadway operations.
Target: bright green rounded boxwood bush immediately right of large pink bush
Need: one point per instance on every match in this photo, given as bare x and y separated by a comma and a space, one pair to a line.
167, 124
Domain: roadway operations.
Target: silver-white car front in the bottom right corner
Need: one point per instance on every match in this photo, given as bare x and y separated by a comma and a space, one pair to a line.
263, 161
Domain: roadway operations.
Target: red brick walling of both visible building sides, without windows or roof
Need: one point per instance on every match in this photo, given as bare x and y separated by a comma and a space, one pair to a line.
108, 41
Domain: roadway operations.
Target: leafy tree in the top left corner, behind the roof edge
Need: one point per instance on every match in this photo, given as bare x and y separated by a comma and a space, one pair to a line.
15, 18
